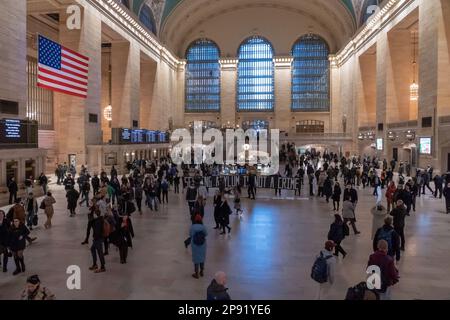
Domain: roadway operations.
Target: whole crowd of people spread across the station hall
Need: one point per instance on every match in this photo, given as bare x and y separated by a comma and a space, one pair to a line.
111, 201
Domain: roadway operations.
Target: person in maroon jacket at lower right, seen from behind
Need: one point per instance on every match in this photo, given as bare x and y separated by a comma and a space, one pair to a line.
389, 273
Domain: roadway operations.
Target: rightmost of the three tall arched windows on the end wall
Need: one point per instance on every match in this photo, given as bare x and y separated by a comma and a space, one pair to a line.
310, 75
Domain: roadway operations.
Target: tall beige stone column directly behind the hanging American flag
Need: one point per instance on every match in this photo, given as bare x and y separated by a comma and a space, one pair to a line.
73, 132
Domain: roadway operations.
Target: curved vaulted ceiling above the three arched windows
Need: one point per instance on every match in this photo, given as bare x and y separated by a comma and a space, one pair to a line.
179, 22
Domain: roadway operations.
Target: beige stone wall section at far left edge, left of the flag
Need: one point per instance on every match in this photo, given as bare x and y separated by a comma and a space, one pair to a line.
13, 50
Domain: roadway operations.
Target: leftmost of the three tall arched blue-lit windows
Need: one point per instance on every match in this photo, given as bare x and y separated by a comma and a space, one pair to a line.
202, 77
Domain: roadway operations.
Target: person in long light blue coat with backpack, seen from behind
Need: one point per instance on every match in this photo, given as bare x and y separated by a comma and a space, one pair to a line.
198, 234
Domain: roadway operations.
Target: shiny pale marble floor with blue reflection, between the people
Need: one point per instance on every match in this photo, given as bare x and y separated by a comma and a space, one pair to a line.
268, 255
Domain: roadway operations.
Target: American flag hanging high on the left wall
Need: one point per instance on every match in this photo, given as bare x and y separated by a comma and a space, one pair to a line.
61, 69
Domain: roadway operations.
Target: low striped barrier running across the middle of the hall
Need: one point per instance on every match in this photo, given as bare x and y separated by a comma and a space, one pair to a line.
261, 182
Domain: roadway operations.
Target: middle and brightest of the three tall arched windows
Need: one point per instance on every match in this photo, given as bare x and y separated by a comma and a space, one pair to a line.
255, 76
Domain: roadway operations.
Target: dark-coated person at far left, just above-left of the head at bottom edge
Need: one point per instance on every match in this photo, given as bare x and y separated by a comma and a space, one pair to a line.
17, 243
